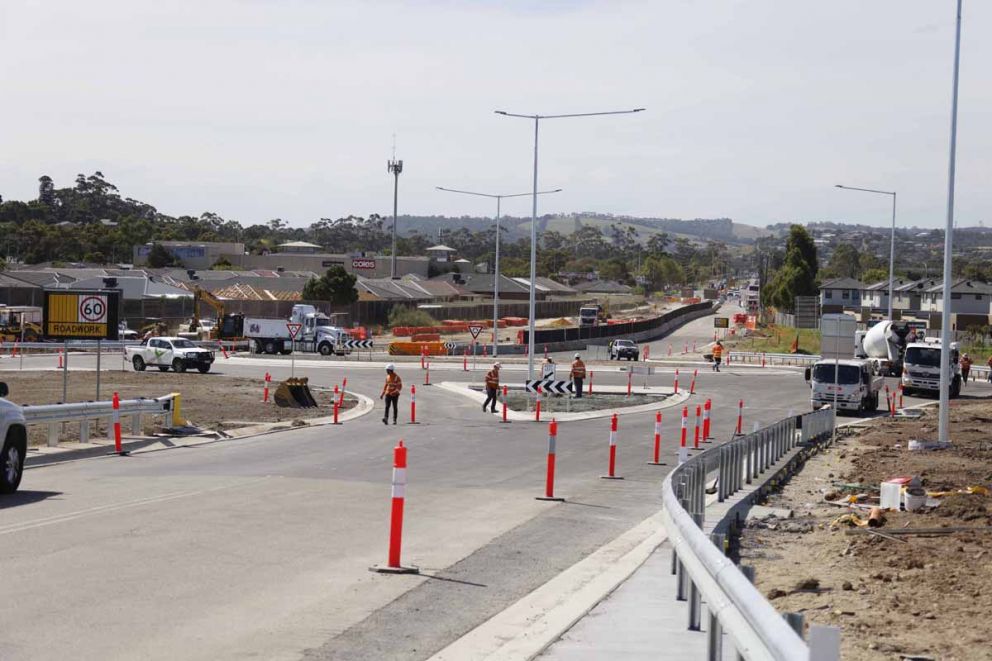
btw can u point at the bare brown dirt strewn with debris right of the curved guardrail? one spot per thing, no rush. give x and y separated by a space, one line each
903 596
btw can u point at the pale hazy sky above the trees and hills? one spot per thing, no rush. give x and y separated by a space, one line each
259 109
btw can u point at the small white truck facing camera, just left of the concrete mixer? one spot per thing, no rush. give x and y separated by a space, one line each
857 386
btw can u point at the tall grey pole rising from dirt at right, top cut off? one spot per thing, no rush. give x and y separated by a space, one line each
945 316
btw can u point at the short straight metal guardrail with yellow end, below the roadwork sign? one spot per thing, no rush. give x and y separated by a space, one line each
54 415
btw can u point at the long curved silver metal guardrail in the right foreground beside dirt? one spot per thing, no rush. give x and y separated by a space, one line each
705 573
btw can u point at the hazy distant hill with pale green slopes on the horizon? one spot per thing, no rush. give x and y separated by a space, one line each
698 230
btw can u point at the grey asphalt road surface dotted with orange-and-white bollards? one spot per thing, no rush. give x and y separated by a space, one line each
260 547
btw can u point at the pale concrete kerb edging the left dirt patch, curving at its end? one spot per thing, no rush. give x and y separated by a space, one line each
155 444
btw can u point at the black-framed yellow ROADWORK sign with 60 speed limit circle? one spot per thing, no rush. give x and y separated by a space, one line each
80 314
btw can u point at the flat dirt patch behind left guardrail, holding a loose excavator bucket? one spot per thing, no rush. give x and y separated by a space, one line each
209 401
